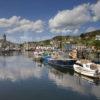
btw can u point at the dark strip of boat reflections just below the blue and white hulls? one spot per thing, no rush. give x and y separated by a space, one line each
60 71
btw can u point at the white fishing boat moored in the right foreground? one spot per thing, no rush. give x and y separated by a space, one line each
87 68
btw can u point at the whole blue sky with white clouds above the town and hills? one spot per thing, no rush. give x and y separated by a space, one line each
35 20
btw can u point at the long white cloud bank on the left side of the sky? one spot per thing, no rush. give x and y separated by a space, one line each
18 24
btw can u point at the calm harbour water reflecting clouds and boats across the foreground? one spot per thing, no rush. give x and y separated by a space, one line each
23 79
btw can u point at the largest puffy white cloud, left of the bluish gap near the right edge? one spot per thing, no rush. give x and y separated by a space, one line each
70 19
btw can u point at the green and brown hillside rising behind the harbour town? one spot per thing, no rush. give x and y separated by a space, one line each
89 36
